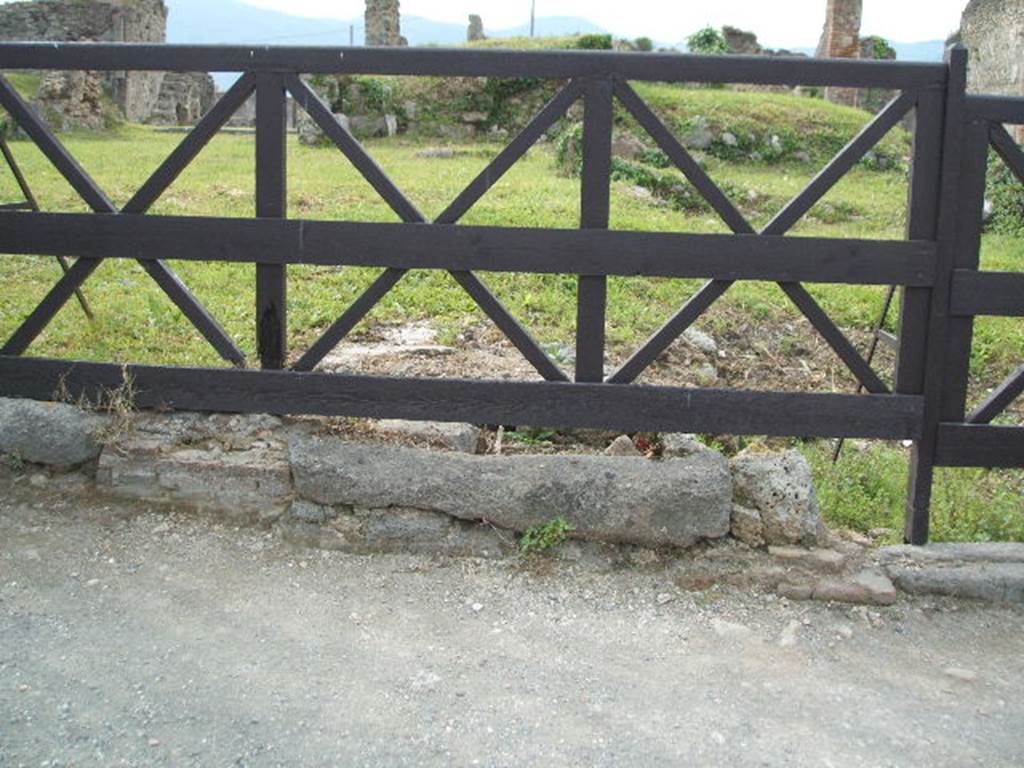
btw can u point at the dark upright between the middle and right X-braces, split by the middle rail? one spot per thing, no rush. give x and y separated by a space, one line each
594 212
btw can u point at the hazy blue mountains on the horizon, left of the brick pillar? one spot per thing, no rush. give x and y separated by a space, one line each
235 22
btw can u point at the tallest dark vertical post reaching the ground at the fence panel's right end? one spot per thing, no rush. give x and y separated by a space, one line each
934 342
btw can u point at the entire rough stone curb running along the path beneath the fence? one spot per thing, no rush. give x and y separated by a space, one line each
328 492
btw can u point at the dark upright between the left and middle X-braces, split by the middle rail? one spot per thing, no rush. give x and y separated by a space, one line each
272 202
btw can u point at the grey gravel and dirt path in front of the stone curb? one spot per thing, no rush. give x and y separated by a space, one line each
134 637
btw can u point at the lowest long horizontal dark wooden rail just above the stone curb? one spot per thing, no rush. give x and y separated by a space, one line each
537 404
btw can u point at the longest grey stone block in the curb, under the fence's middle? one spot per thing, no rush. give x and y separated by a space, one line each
622 500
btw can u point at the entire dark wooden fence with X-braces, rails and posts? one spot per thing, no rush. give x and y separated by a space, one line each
936 266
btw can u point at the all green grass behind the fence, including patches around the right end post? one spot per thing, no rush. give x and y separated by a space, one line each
137 323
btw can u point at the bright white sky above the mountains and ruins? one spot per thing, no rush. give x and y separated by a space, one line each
778 23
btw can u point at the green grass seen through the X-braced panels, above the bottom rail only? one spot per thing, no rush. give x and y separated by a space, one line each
136 321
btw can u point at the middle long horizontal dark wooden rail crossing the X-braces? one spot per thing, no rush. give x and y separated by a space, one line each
470 248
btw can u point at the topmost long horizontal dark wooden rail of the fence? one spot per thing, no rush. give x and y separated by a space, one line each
471 63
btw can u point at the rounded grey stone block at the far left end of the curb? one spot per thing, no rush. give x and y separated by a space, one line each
54 434
